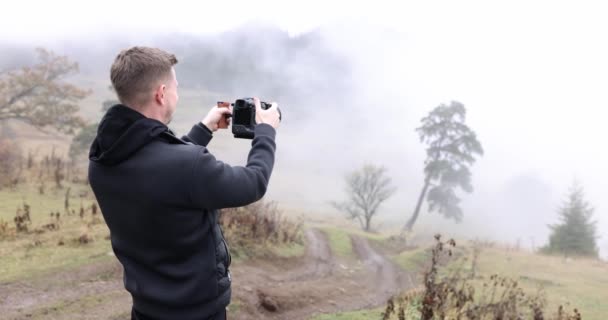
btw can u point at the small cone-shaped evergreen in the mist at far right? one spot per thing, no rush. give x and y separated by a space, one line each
576 234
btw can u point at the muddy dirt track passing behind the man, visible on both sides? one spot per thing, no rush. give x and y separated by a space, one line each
277 288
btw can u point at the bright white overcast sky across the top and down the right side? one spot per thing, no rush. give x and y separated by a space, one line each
533 74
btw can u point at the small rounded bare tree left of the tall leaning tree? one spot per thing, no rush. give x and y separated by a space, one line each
366 188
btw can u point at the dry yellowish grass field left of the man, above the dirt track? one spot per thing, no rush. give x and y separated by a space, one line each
33 253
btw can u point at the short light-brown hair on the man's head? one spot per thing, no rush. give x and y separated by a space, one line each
137 70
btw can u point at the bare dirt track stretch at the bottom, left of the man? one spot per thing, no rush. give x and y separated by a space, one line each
96 288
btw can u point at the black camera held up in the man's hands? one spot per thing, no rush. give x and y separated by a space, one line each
243 116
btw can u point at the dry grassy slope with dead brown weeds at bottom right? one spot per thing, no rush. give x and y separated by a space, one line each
506 284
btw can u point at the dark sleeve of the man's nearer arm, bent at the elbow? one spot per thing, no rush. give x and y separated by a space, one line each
216 185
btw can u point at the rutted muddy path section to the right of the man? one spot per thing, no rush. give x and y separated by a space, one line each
324 285
